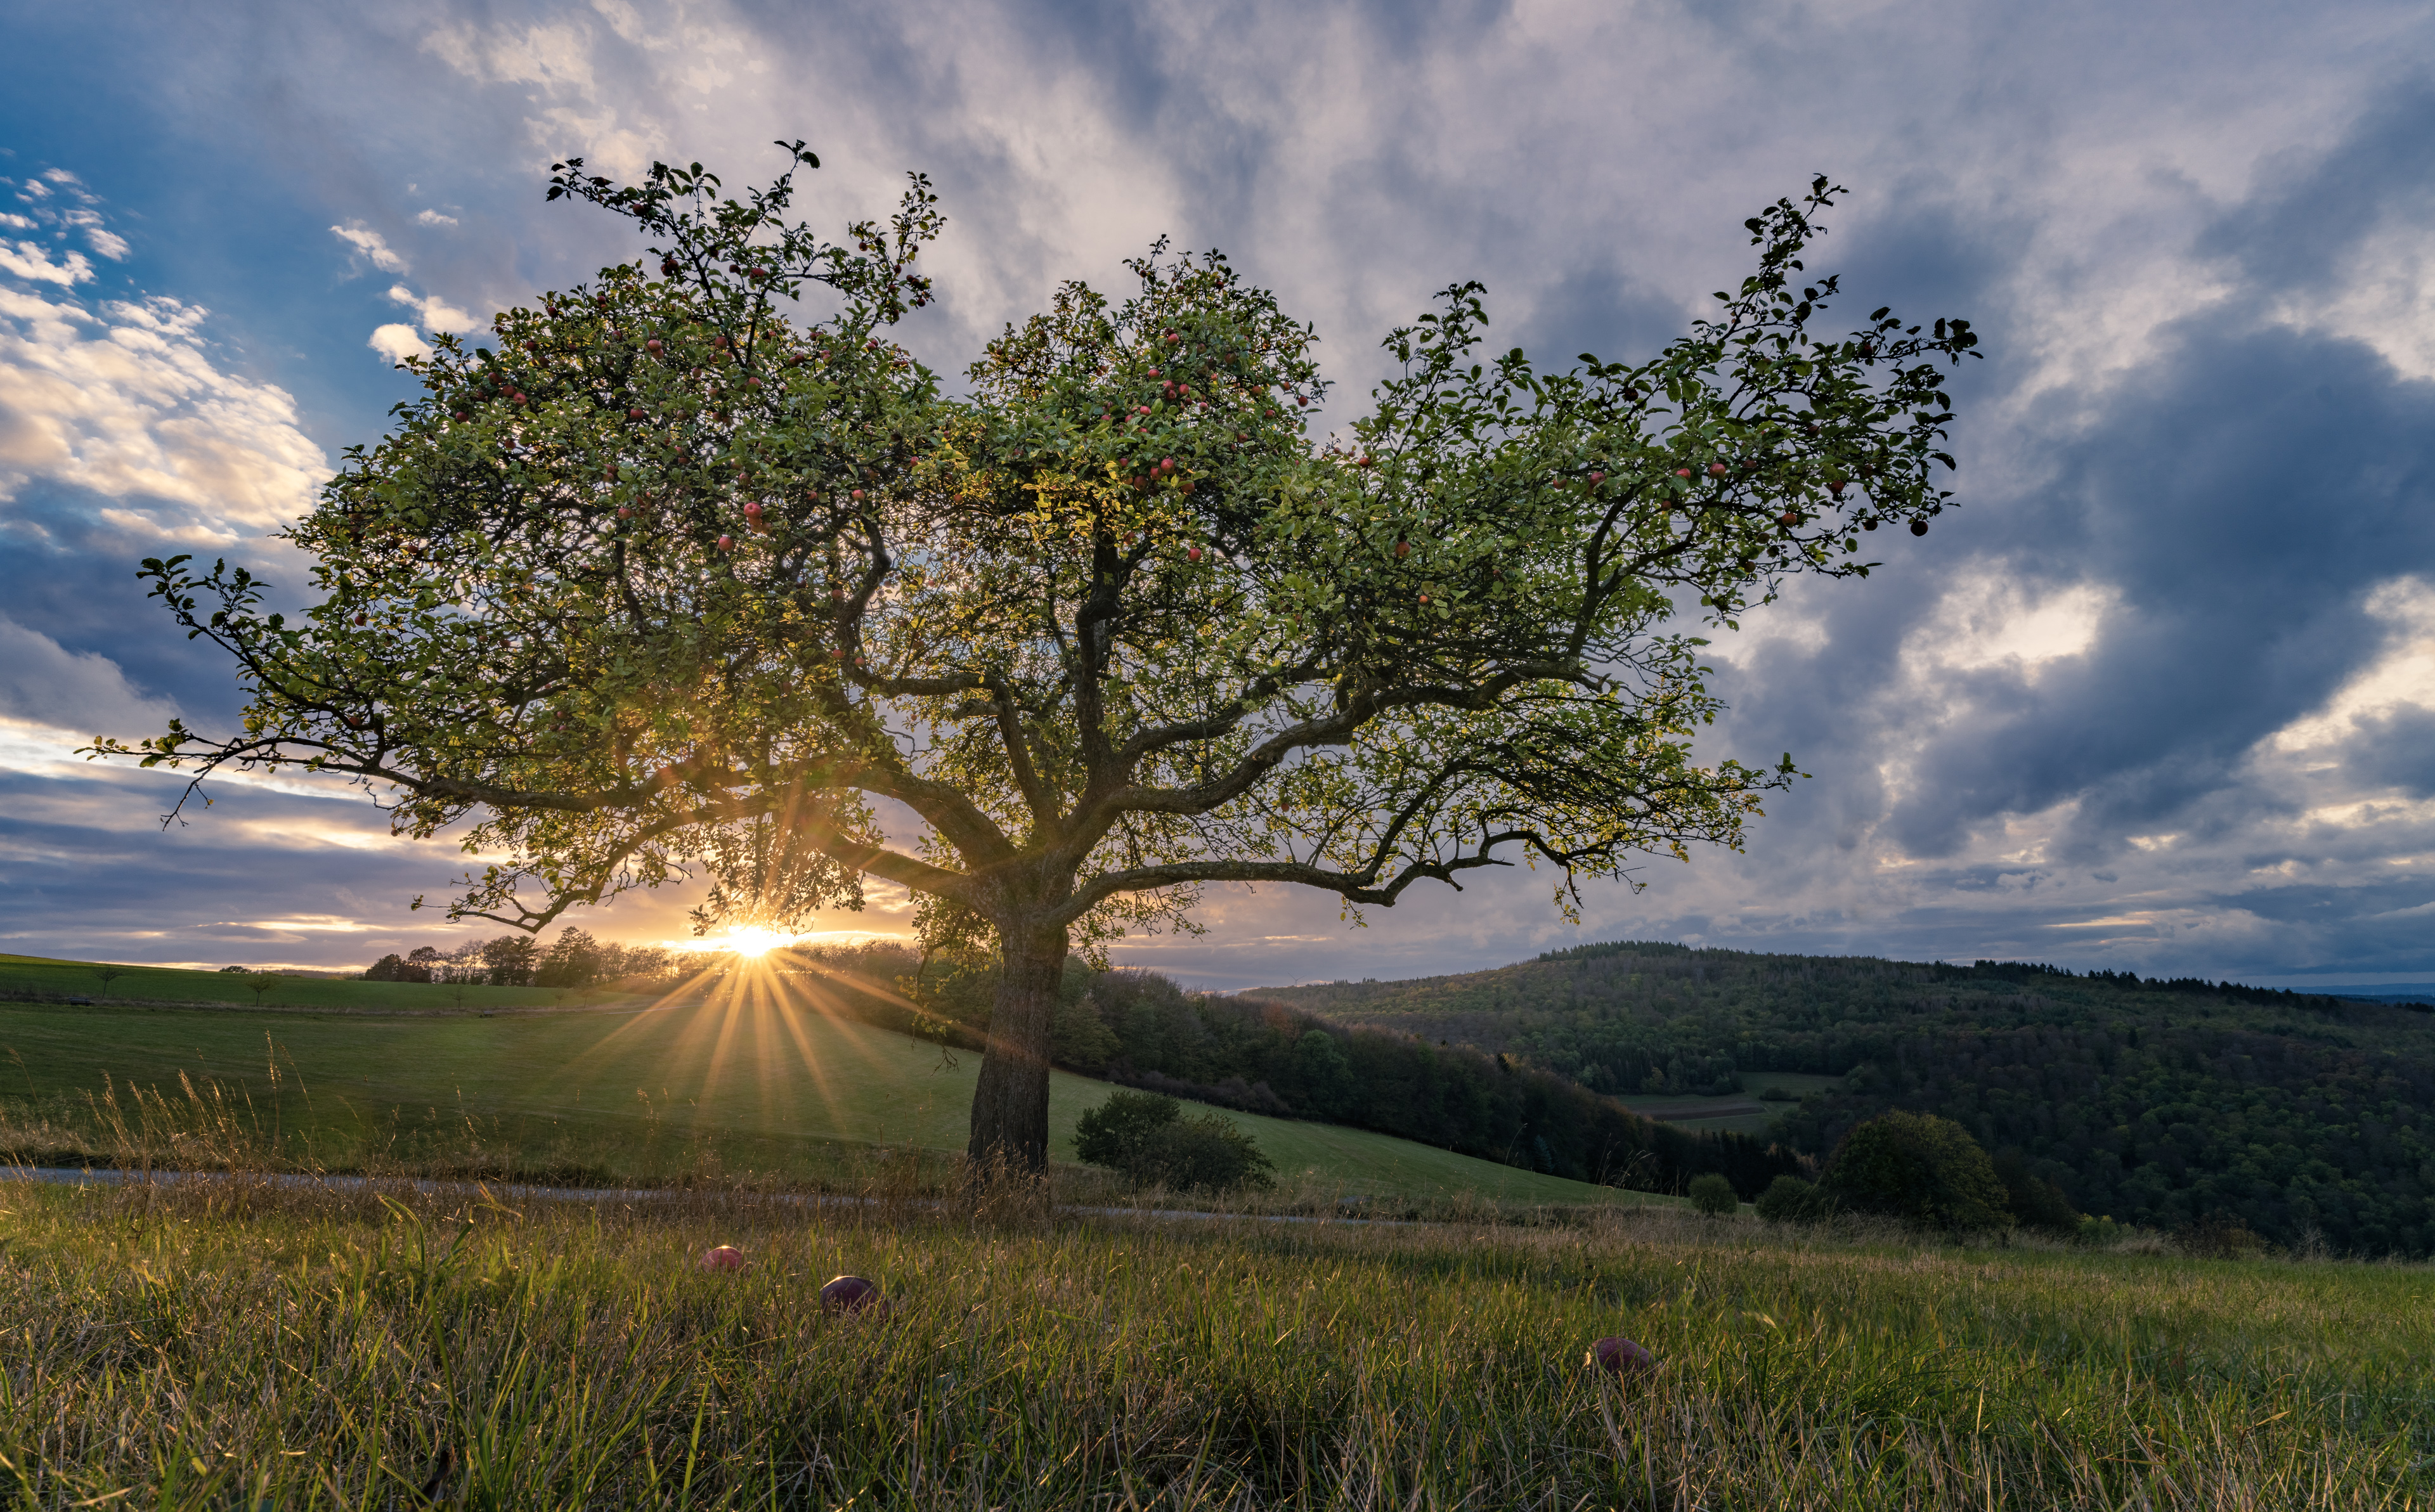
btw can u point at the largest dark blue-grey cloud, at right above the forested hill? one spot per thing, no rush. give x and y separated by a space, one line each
2244 495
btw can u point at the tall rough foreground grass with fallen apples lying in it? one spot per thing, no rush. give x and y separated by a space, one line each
259 1348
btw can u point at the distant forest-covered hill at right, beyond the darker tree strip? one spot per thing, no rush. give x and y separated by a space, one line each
2151 1102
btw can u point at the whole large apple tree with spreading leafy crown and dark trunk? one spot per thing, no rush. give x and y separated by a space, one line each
683 583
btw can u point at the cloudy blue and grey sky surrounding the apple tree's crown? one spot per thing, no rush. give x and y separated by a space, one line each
2159 698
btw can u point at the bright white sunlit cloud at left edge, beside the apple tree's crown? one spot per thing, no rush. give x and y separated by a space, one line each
128 401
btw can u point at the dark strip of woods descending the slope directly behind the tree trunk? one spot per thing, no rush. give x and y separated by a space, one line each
1141 1029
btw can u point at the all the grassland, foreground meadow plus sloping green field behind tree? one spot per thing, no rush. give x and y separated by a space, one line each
252 1340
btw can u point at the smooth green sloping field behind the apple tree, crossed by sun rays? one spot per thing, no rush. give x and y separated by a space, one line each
732 1087
